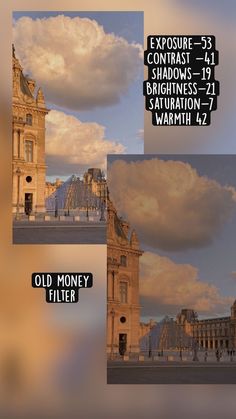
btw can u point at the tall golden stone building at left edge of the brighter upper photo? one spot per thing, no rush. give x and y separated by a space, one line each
28 143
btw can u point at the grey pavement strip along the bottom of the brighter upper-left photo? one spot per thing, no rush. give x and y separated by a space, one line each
59 232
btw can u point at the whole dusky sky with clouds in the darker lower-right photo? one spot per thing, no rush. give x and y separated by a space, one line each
184 211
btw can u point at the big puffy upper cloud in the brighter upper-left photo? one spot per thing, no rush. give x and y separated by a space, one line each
75 61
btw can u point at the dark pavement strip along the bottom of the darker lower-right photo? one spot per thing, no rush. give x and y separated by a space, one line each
171 373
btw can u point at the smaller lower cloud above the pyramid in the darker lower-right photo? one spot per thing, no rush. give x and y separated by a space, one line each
166 287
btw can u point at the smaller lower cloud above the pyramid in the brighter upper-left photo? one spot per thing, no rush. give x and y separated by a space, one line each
72 145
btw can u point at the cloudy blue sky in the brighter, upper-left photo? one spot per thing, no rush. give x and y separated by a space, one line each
89 65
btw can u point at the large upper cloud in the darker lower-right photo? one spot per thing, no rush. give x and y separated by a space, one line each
169 203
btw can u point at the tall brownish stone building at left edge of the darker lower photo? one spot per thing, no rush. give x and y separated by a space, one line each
123 307
